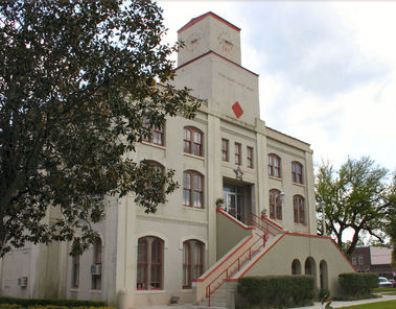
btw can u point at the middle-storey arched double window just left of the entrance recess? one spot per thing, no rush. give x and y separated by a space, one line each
193 193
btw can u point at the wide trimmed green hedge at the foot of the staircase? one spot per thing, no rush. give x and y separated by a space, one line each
275 291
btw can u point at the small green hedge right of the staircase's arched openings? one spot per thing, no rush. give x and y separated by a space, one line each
358 285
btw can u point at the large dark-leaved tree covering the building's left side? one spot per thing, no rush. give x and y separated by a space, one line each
78 90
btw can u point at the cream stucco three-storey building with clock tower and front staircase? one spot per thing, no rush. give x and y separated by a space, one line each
189 249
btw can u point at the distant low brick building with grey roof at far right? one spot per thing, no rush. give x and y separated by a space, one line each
374 259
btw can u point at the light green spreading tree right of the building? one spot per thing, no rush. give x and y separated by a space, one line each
356 200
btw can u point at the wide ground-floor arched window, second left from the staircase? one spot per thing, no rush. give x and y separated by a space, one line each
150 263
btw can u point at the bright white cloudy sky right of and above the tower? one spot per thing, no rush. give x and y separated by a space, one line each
327 69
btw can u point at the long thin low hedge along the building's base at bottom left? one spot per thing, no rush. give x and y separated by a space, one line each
32 302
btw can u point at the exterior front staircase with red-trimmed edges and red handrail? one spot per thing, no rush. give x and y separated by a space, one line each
214 287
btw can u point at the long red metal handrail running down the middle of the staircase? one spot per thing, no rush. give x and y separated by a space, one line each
210 289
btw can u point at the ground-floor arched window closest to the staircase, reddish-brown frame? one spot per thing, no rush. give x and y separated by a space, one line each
193 261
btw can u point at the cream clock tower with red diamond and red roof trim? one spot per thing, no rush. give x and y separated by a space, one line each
210 64
